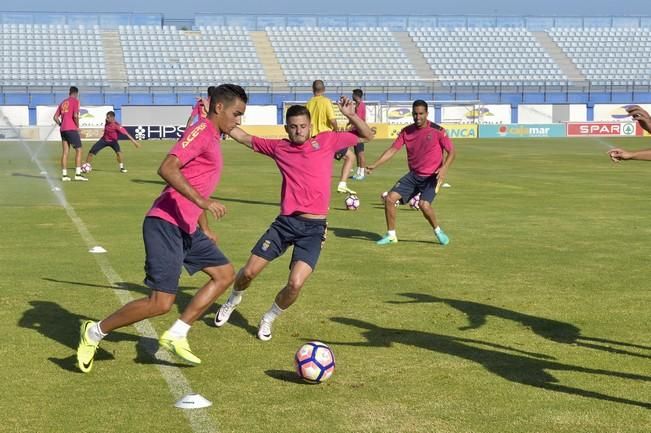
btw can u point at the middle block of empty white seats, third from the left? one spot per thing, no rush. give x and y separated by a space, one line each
340 56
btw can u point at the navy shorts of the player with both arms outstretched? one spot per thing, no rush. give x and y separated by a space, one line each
307 236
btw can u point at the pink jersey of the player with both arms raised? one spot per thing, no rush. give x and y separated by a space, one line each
306 169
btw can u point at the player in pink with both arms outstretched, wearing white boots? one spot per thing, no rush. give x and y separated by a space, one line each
305 163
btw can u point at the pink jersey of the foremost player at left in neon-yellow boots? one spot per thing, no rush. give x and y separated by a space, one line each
199 151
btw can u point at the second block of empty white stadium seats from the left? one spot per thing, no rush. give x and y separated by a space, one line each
166 56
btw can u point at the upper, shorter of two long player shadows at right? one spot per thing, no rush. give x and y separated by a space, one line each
559 332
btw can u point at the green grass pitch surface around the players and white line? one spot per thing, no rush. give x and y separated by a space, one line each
534 319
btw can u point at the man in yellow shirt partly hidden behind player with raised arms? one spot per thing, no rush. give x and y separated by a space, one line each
323 119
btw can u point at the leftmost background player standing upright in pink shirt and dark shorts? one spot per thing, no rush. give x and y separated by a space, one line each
67 117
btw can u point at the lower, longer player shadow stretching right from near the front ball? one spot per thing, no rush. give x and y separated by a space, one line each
513 367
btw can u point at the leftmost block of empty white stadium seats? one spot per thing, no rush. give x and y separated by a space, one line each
51 55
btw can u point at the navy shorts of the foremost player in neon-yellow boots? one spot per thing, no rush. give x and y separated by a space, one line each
168 249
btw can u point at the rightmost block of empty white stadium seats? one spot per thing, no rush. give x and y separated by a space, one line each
608 55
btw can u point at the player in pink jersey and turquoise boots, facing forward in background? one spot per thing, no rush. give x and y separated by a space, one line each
425 142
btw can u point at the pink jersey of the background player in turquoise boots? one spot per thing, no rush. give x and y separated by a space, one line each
424 147
